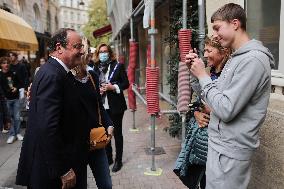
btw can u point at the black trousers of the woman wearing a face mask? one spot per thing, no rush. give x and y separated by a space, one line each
118 137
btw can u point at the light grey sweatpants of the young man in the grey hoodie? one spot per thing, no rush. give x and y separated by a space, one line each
223 172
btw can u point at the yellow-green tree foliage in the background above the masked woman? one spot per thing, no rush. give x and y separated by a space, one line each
97 13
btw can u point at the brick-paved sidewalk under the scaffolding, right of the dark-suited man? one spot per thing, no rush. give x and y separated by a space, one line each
135 160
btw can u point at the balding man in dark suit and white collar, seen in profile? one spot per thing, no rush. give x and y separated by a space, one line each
55 148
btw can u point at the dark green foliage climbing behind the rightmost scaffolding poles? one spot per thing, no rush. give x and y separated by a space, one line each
172 40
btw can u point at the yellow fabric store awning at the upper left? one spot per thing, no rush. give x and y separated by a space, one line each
16 34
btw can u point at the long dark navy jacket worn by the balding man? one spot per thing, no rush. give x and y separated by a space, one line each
57 136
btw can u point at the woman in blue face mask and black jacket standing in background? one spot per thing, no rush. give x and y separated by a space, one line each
113 81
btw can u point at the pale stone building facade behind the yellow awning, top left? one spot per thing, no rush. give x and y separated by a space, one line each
42 15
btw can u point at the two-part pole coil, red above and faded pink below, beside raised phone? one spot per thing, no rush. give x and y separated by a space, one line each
184 92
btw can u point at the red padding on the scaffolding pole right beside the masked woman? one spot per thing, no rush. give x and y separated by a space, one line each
133 48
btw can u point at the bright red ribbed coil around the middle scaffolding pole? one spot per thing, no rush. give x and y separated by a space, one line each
152 94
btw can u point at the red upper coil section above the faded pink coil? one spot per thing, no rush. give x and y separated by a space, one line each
184 36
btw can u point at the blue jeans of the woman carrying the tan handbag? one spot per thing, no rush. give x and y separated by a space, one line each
99 165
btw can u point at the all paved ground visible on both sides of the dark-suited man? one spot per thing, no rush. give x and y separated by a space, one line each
135 160
